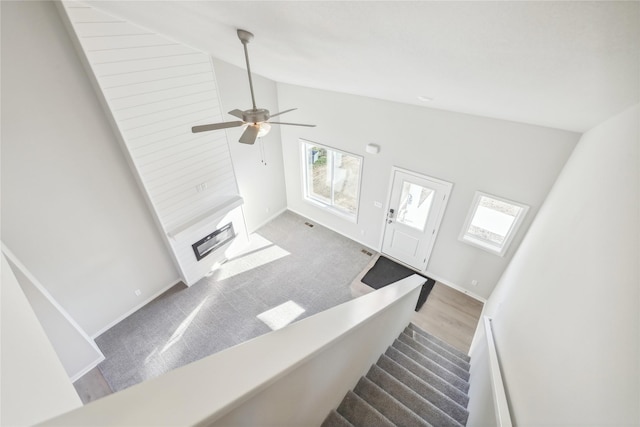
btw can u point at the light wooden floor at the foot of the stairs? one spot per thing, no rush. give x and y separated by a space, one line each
450 315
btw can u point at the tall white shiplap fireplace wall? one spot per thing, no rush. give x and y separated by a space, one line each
156 89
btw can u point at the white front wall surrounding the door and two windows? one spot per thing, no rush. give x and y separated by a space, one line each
511 160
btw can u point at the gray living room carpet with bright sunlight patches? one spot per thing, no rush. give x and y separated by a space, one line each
311 266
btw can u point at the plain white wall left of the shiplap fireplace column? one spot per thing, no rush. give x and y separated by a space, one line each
71 209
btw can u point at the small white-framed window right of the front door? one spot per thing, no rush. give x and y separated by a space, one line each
492 222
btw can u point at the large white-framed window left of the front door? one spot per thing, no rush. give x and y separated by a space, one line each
332 178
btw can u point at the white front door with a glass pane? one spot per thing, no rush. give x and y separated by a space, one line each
415 209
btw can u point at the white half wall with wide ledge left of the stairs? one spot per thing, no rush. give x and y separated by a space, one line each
291 376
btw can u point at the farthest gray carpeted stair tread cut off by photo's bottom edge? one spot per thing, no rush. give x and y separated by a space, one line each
416 403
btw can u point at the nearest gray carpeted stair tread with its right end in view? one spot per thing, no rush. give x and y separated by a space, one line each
424 389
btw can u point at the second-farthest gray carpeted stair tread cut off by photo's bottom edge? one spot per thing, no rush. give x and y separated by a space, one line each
387 404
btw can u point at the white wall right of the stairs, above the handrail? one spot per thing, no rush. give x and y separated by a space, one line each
566 311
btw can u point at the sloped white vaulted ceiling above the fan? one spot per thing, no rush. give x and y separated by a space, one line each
568 65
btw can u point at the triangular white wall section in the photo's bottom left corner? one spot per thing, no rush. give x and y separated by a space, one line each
34 384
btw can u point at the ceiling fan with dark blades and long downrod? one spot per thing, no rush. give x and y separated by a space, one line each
256 119
